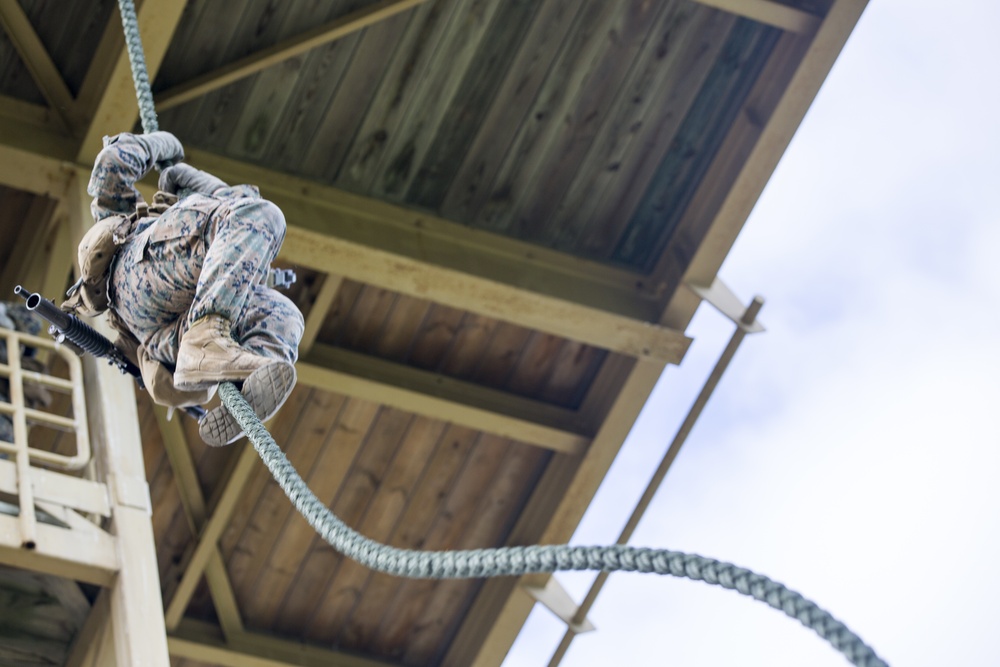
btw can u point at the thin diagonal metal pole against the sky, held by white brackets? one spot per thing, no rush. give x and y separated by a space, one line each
749 315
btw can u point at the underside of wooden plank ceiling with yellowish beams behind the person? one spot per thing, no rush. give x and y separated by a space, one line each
496 211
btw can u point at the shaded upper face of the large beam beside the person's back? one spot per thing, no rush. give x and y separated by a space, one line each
310 206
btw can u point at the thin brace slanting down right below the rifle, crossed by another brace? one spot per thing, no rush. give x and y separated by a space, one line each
186 477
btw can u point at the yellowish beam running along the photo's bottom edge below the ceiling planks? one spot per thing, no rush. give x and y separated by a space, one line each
195 640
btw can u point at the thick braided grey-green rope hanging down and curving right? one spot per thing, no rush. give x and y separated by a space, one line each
504 561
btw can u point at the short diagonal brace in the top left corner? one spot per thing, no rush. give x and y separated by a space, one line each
36 58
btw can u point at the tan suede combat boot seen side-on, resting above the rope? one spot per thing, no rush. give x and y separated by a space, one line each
208 355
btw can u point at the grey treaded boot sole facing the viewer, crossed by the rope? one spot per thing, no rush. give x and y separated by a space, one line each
266 390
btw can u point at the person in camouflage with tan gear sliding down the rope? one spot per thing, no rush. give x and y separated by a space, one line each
183 281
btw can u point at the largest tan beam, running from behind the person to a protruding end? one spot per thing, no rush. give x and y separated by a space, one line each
411 253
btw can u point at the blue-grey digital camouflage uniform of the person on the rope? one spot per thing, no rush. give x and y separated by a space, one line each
206 254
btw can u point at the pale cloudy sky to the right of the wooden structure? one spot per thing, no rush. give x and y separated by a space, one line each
852 451
